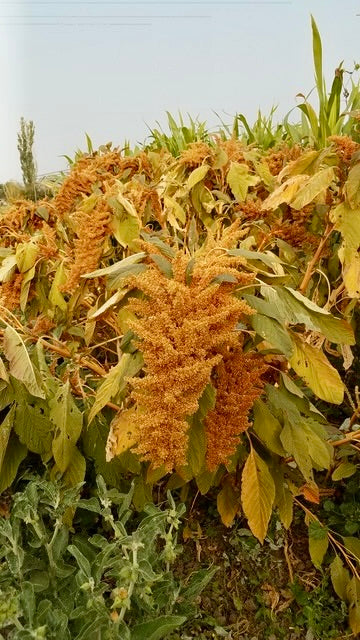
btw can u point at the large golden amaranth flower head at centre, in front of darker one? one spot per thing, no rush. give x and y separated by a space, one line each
183 325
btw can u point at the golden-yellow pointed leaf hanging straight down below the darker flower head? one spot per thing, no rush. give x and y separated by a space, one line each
257 494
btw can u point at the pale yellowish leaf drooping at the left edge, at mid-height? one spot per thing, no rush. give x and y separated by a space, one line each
20 364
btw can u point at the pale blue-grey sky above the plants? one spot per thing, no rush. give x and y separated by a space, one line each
112 68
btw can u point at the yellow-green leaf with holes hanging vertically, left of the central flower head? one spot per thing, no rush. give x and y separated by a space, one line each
68 424
